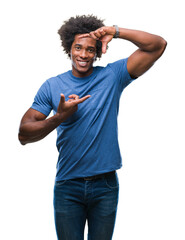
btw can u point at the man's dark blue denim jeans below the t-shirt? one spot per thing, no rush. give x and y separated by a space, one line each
78 200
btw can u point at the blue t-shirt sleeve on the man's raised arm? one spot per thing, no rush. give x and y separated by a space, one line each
120 70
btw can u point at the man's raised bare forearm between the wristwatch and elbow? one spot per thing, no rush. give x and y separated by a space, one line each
145 41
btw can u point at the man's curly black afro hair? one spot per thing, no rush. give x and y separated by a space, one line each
79 25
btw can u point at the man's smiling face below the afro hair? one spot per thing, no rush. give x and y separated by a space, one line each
83 54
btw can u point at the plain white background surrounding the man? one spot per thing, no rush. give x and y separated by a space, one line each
151 118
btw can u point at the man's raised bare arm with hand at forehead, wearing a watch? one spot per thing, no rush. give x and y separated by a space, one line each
150 47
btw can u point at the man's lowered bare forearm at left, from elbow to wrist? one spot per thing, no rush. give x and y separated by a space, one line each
33 131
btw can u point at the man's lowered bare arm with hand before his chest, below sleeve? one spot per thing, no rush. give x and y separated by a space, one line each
34 125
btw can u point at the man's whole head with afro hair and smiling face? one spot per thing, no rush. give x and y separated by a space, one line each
72 43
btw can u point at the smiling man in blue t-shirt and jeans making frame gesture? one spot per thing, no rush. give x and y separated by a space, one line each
85 102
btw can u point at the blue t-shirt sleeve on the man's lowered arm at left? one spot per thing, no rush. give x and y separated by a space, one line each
42 101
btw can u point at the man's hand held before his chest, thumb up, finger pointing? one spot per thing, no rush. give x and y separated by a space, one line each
67 108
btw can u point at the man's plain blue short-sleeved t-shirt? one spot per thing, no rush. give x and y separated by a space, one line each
88 140
